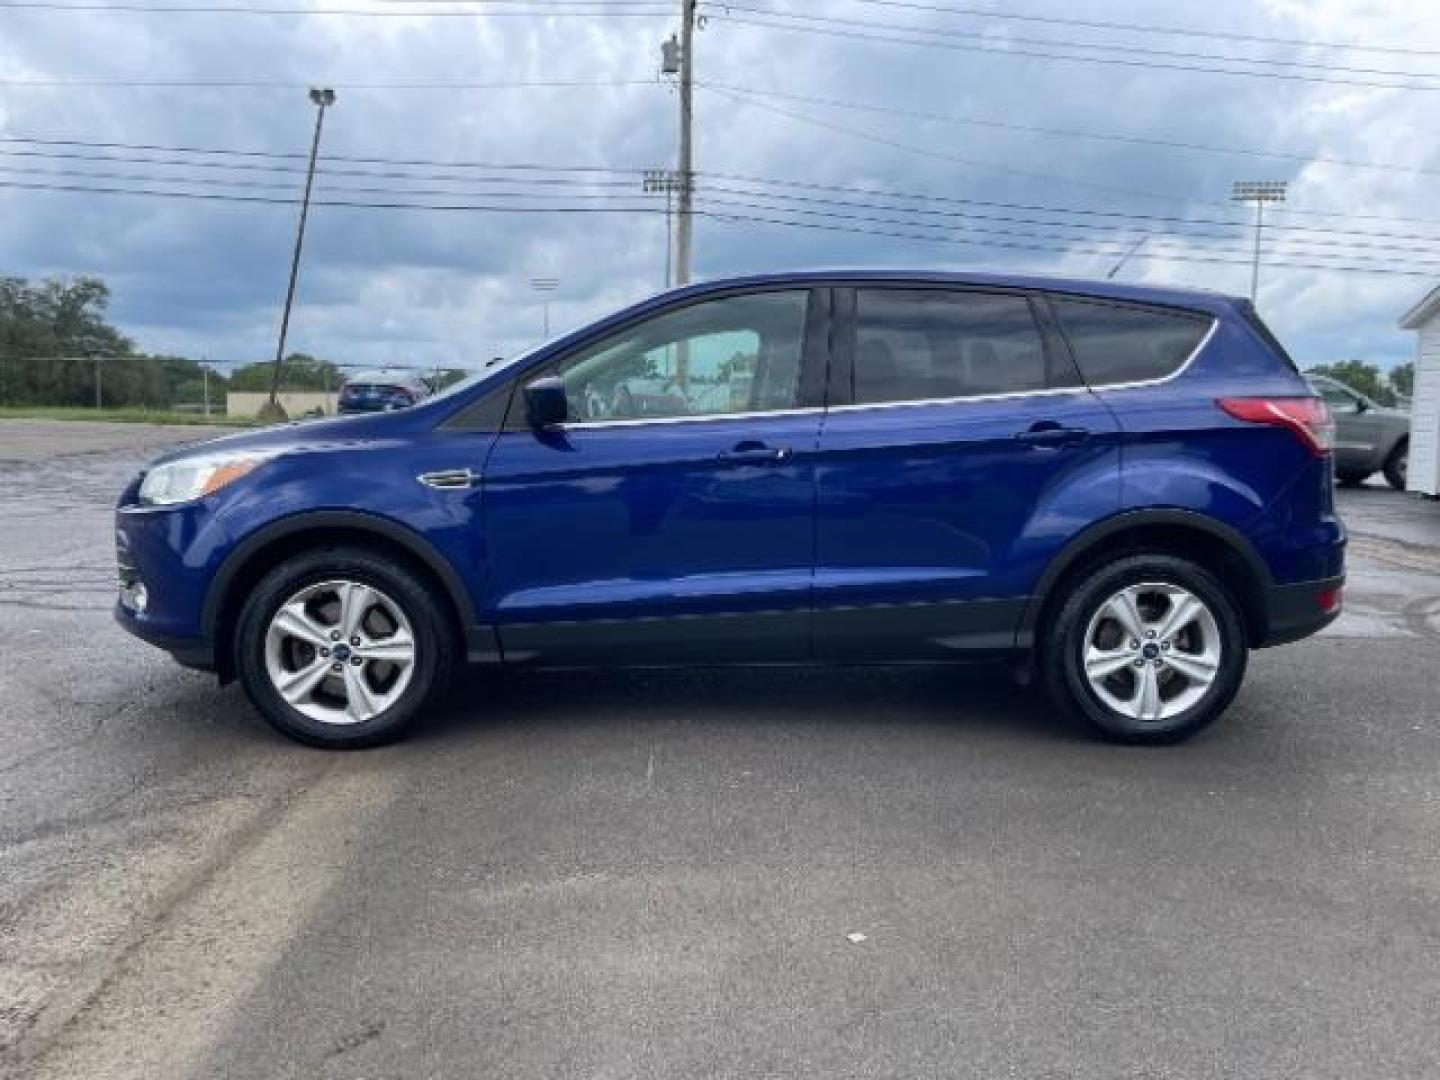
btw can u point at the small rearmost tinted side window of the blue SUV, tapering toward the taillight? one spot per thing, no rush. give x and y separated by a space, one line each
1128 345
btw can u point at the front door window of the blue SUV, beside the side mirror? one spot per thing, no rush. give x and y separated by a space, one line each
715 358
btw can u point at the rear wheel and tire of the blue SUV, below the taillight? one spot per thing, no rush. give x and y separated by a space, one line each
1212 646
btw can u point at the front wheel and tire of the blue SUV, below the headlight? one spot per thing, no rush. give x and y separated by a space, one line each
343 699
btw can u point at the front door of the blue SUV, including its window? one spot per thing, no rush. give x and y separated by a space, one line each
672 518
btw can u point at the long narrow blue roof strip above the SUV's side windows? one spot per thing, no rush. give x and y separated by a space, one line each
1099 289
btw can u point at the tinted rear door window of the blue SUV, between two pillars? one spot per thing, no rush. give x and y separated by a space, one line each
927 345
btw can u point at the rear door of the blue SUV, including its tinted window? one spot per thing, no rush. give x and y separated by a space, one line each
960 454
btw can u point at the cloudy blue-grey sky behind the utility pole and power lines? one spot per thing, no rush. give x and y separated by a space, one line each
967 142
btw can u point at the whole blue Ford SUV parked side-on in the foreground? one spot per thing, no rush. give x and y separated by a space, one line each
1122 489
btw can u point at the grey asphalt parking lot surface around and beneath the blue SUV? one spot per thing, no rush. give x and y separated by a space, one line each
660 875
